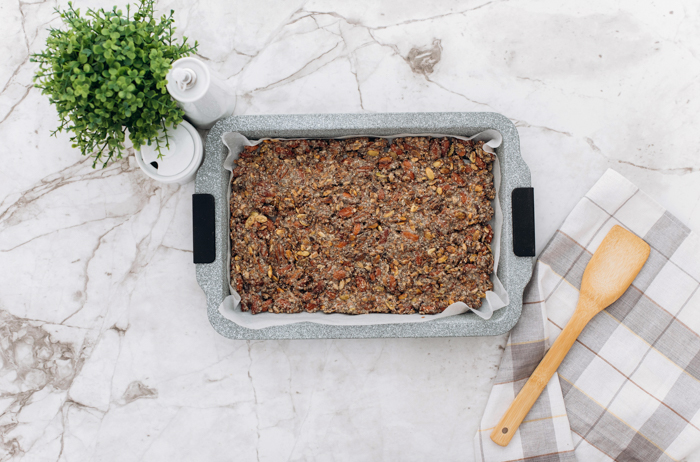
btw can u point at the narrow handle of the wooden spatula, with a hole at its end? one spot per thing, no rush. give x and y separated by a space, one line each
514 416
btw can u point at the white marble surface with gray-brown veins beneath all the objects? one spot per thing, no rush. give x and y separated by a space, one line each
106 350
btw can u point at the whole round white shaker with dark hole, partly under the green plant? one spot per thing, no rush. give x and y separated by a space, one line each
180 162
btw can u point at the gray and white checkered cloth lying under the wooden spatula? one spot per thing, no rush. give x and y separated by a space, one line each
629 389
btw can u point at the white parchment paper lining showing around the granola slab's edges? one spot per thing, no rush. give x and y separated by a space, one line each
230 308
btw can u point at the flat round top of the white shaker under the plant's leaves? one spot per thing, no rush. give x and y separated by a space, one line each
175 159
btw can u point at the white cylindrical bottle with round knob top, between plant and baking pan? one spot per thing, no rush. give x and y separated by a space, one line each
204 96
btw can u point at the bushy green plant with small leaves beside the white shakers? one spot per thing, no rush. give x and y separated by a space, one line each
105 73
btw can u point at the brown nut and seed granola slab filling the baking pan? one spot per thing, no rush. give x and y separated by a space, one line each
362 225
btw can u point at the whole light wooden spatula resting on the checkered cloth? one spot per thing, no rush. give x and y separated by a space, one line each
610 272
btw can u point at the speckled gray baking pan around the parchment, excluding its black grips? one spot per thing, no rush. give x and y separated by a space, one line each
513 271
